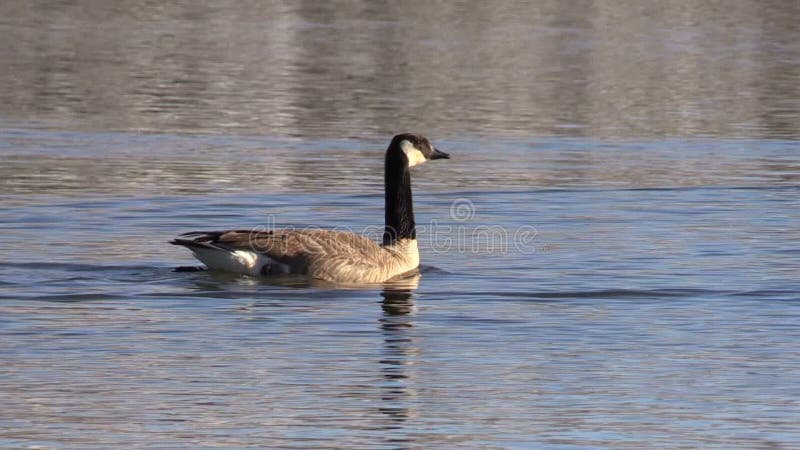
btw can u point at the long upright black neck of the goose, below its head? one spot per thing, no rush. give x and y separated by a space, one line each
399 209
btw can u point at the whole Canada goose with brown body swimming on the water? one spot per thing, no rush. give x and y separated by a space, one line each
336 256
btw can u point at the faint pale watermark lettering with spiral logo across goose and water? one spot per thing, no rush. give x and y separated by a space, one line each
459 234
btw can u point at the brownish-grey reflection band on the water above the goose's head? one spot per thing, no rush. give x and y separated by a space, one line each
364 69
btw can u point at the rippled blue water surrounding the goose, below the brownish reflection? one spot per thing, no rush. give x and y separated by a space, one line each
632 315
